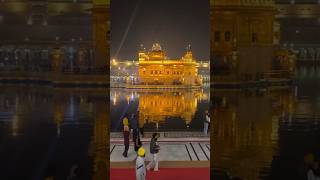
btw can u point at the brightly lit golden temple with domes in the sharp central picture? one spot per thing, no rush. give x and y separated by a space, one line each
155 68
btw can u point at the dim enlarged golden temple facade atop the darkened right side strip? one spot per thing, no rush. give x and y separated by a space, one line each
243 36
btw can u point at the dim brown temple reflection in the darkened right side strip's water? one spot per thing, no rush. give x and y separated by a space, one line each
246 130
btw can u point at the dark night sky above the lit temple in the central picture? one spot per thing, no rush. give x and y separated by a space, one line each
172 23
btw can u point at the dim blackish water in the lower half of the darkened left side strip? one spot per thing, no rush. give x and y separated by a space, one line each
46 132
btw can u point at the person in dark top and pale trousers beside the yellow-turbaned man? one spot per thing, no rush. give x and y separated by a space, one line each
154 150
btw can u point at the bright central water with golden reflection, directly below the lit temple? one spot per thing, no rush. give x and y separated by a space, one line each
160 110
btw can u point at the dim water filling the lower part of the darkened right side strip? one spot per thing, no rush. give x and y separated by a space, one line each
264 134
